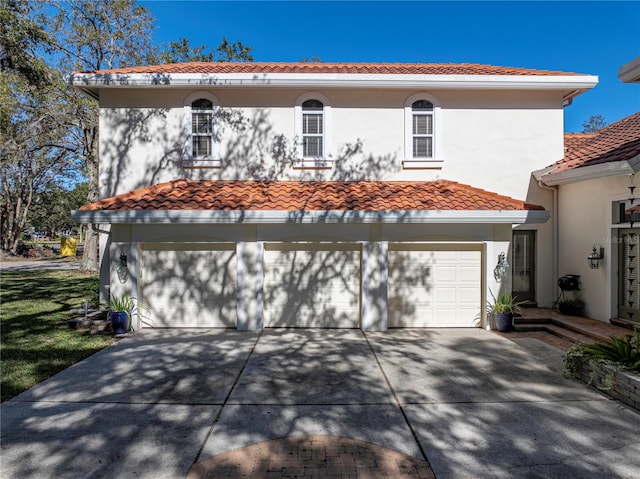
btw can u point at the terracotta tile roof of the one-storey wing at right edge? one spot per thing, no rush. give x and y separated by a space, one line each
619 141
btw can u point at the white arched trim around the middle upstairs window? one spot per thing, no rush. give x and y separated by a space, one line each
323 118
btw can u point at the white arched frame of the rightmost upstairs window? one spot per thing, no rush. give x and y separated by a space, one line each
436 159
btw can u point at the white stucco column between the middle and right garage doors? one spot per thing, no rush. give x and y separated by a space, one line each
375 280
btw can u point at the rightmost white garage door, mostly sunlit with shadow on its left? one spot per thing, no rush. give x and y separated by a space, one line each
434 286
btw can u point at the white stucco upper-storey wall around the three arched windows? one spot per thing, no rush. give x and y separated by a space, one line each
486 137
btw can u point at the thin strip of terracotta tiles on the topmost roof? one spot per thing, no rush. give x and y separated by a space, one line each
345 68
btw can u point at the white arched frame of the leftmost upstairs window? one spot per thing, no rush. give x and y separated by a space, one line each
188 159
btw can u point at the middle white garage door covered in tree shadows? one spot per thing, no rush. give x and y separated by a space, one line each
312 285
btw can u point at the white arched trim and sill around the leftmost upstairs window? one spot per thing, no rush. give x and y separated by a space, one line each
209 133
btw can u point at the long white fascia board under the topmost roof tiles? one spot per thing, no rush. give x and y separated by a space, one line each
353 80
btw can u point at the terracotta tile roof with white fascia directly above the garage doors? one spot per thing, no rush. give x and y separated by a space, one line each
279 201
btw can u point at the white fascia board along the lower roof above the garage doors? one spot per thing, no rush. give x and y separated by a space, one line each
309 217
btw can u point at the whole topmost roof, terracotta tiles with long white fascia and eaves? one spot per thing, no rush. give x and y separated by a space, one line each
315 75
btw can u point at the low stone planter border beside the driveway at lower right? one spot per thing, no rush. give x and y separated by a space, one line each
612 380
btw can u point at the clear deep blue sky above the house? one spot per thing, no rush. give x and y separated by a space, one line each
591 37
